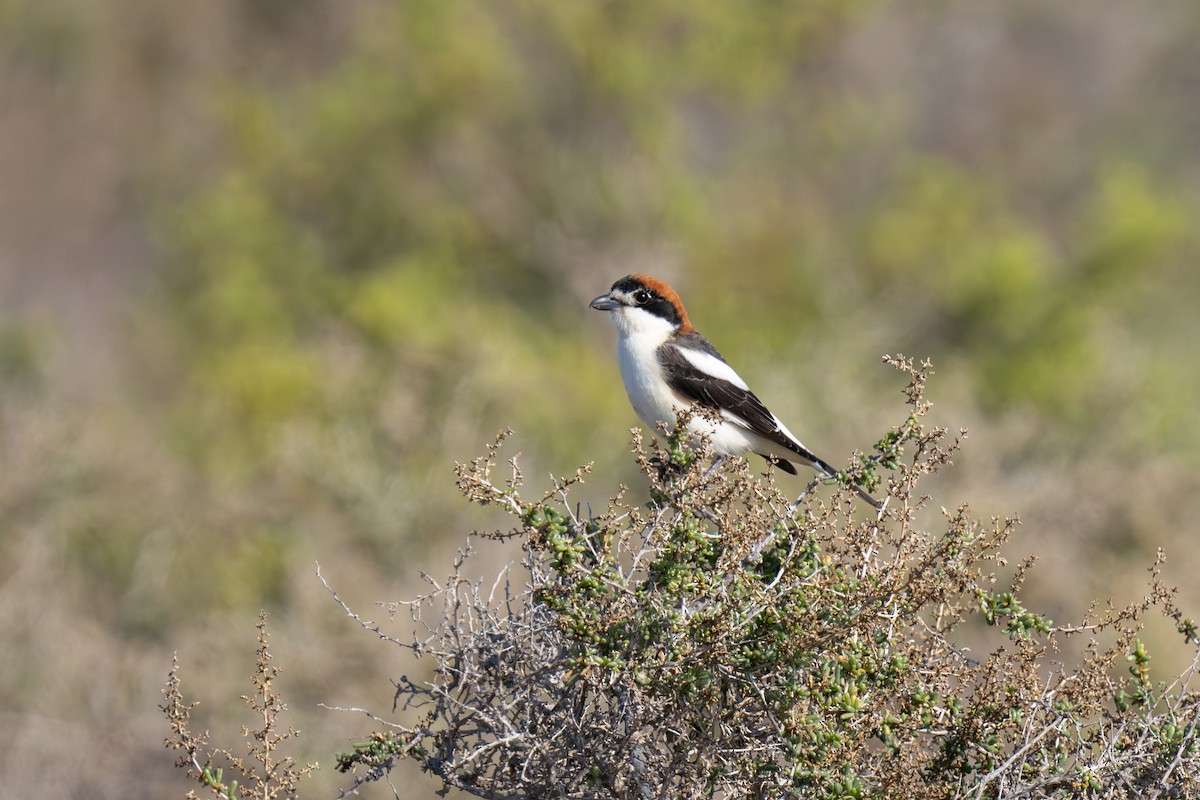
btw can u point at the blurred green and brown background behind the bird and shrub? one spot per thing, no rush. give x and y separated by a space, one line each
269 268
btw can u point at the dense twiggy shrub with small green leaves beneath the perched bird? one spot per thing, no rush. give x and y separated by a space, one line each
723 641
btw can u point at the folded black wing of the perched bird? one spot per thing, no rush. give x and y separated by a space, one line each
701 388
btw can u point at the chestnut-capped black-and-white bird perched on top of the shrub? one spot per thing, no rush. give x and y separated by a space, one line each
669 366
